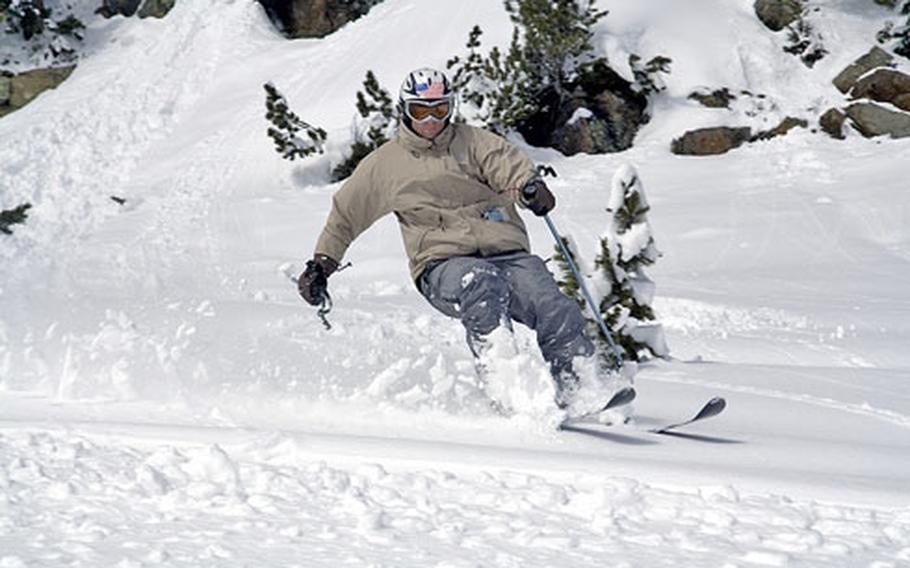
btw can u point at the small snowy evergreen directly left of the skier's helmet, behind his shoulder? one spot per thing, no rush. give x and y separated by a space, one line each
377 122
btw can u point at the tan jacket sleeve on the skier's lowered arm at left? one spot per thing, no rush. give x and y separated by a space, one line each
357 205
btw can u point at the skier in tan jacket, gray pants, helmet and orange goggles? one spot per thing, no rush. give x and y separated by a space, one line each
454 189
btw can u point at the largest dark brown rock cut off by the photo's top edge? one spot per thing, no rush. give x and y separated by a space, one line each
315 18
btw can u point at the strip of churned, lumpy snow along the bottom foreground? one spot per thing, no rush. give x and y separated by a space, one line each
102 503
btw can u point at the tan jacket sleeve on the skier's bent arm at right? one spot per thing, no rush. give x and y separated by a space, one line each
505 167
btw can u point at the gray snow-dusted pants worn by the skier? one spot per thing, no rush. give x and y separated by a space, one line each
486 292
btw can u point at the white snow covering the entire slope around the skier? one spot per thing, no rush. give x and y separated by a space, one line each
166 399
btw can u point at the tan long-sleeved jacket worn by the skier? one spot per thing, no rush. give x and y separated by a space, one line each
453 196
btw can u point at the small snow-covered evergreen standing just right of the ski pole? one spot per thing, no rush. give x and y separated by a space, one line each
626 248
